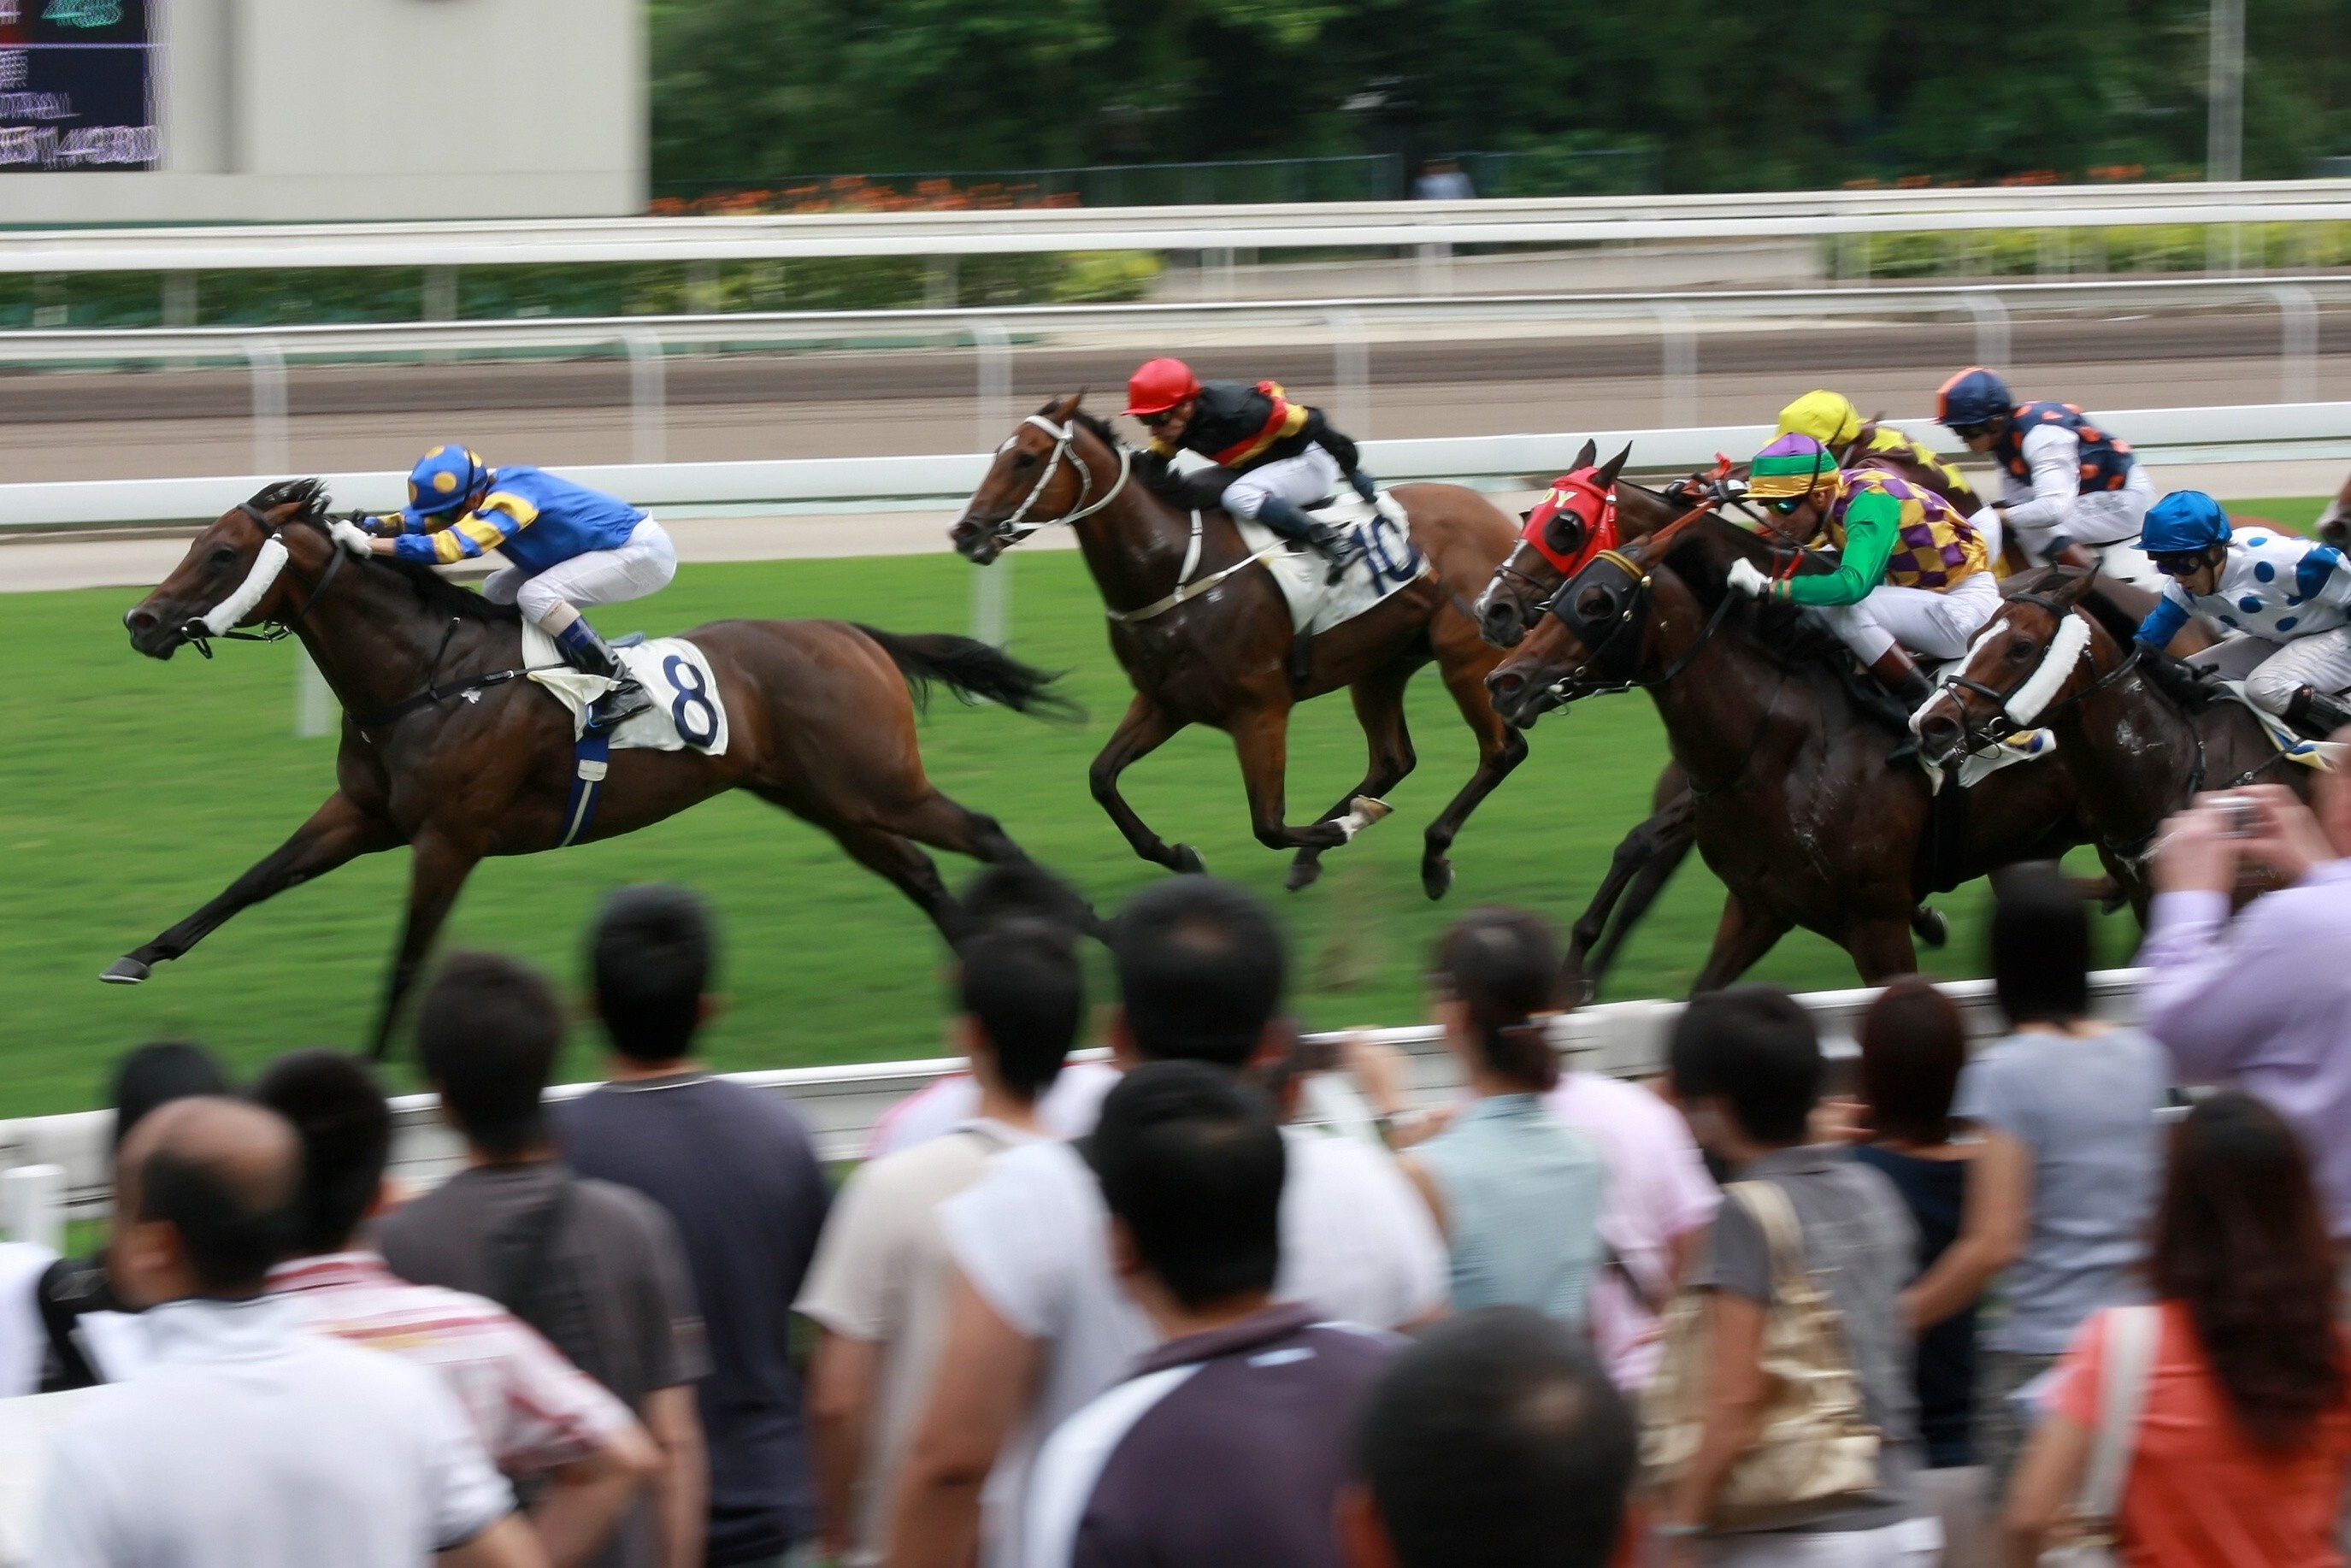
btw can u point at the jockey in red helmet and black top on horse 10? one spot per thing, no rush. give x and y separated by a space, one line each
1275 457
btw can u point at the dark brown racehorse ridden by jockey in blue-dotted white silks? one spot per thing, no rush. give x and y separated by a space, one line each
2136 751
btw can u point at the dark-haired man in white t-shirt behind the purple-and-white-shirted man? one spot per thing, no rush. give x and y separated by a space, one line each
1040 1325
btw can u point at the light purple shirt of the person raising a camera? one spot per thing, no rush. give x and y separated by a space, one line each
2265 1005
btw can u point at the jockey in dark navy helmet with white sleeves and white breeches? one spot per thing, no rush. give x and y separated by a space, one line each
2072 492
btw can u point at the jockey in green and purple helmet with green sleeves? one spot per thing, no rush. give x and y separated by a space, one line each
1910 575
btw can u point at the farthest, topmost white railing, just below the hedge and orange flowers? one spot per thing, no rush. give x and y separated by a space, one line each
1167 229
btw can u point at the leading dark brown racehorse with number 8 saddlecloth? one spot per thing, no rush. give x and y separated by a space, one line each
819 713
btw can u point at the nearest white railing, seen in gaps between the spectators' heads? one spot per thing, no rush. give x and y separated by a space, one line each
845 1104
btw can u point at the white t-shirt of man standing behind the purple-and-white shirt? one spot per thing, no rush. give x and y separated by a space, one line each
1033 1238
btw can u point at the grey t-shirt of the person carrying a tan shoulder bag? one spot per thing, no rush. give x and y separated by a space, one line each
1863 1245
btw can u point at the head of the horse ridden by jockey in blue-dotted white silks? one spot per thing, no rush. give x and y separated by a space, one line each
2032 655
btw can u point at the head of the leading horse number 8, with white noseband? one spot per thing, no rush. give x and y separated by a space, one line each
236 572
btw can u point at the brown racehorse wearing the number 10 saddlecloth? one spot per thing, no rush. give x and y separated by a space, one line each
1217 648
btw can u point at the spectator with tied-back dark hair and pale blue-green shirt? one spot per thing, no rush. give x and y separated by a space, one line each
1515 1191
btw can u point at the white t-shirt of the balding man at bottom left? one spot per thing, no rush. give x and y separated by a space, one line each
257 1445
